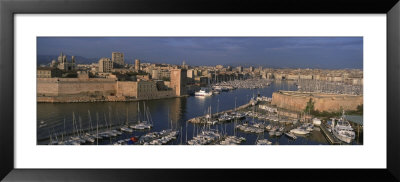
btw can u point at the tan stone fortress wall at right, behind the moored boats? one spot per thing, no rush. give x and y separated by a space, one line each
297 101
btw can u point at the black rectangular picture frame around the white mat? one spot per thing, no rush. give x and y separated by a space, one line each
9 8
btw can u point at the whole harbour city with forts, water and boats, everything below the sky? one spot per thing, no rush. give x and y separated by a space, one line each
195 105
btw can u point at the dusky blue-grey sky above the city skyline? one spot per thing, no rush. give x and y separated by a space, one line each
279 52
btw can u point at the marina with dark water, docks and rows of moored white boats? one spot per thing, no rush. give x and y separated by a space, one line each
230 118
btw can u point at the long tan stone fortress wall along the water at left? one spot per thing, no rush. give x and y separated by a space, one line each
96 89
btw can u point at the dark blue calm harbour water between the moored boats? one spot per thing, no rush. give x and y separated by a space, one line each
165 113
